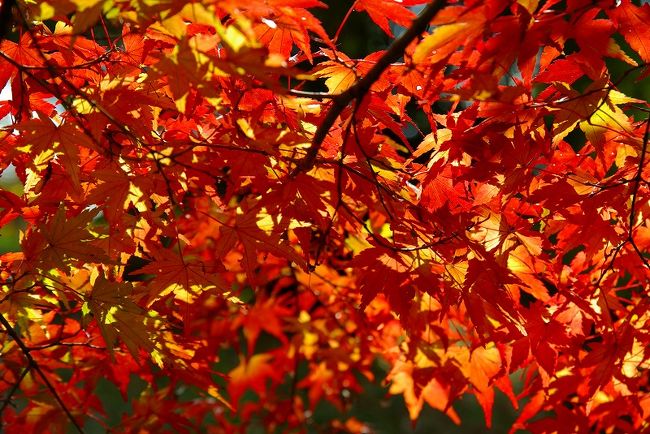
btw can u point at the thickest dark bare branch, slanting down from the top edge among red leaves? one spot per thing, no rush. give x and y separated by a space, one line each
359 89
